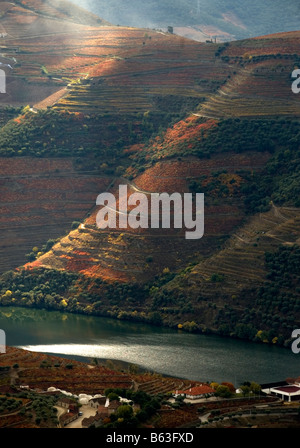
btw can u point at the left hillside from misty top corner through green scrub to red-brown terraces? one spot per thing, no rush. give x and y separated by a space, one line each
51 50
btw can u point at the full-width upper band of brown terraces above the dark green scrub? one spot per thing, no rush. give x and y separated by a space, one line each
85 66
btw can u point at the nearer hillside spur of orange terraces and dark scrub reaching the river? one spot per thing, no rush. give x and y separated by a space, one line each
217 283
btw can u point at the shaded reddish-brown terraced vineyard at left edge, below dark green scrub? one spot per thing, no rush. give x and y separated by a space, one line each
40 198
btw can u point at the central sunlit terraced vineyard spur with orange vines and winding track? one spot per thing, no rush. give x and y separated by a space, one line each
109 253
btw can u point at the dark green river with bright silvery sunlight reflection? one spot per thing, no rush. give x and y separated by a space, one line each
170 352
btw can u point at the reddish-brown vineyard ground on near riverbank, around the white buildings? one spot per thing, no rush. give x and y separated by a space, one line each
41 380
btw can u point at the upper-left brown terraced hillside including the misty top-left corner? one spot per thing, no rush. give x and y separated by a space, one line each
112 69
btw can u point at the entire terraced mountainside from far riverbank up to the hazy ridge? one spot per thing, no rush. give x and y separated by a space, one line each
93 103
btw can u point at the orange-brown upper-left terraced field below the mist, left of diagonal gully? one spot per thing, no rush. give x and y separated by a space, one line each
121 69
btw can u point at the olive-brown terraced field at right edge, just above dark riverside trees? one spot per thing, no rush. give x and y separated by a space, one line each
242 262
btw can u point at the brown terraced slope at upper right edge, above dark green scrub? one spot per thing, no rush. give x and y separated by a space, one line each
261 83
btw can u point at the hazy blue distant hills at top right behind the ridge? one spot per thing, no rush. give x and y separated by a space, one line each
202 19
